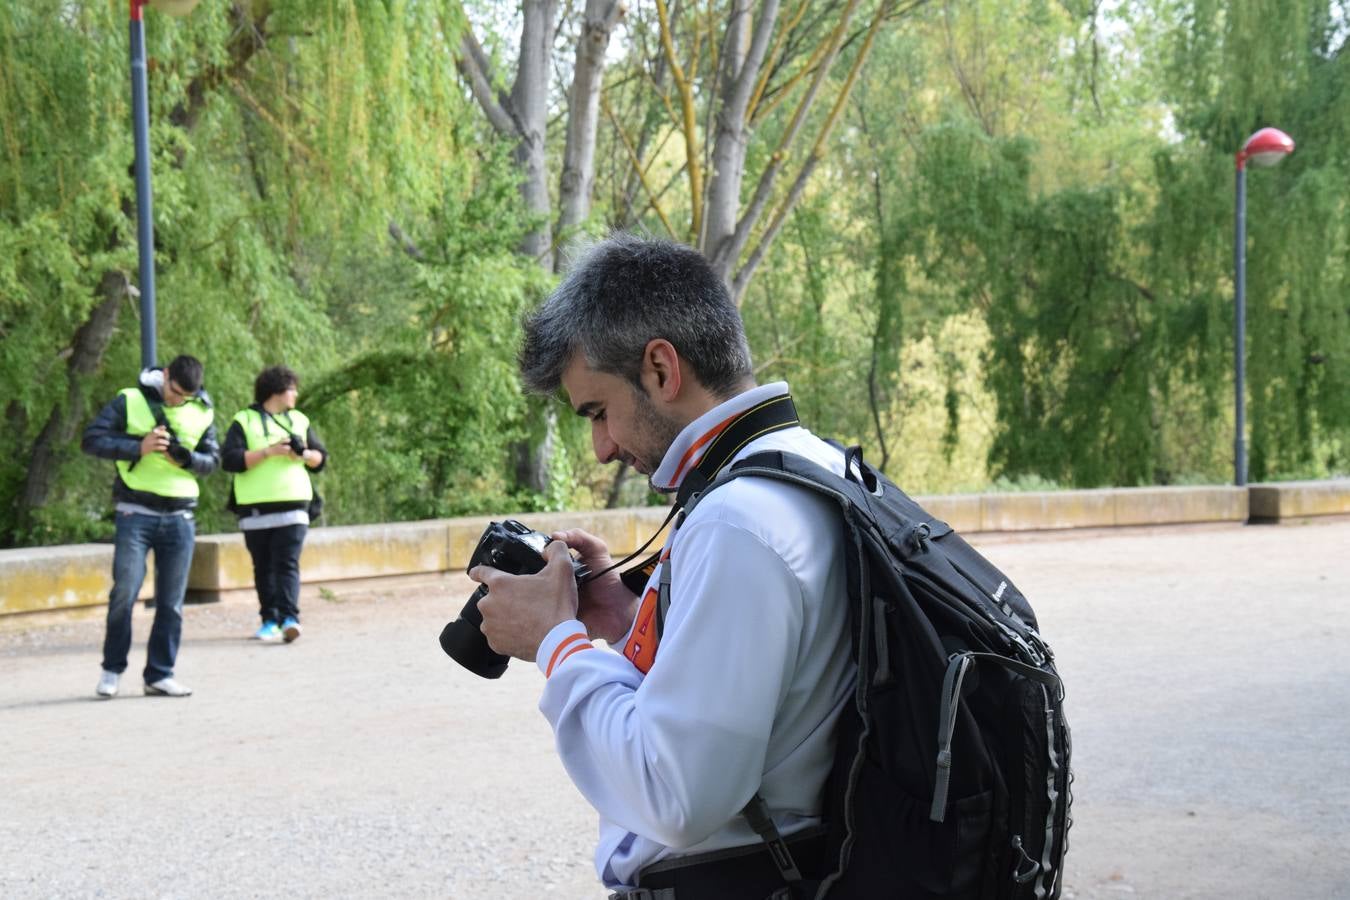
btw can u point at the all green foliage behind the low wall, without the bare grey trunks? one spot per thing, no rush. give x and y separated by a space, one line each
1013 266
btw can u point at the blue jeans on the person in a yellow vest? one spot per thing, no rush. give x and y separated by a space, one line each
172 540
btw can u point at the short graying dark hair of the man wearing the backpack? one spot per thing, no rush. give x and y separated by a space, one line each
620 295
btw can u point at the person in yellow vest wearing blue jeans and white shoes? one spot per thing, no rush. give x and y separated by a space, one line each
163 439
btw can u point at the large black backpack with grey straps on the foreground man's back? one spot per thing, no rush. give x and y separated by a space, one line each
952 768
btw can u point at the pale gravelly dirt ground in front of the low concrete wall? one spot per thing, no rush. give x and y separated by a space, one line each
1208 671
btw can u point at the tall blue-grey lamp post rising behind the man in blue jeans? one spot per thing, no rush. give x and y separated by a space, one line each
141 133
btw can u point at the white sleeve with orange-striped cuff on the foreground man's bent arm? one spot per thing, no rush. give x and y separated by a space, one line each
677 755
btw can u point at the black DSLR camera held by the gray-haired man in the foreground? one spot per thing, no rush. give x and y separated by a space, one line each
512 549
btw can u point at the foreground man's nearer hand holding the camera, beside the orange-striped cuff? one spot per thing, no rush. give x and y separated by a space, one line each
520 611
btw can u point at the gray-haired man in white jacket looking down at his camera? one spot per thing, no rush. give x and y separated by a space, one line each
716 704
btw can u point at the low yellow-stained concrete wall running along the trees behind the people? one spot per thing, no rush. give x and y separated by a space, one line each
55 578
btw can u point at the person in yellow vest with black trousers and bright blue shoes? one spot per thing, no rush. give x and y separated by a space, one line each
272 449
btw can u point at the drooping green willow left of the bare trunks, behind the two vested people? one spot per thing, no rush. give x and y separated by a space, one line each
322 200
